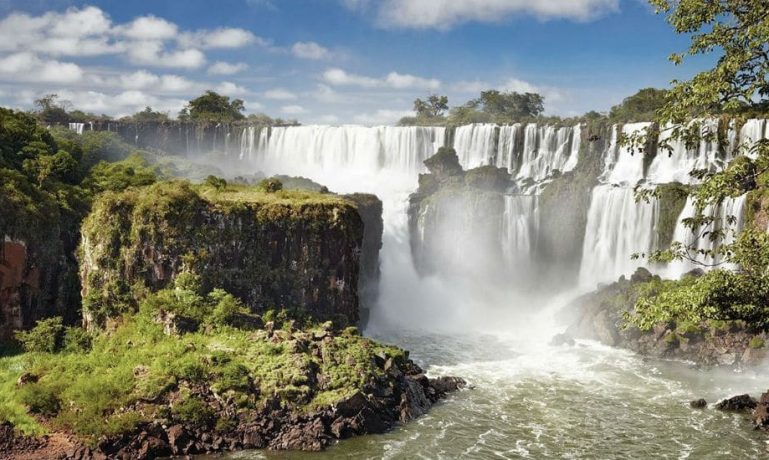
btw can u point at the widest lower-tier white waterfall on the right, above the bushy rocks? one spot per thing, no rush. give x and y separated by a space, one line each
617 228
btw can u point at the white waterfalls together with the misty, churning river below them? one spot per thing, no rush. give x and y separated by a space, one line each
522 404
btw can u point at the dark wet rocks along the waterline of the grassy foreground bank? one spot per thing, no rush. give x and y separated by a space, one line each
403 394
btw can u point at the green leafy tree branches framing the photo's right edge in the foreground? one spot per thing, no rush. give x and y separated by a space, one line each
738 30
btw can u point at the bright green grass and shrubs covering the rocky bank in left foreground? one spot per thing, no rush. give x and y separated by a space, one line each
140 373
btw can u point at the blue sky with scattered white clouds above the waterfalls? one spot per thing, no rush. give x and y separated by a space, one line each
332 61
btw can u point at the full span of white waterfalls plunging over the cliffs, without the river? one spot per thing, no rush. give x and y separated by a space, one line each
387 160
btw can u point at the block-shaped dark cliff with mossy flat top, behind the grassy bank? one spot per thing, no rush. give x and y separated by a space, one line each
296 251
